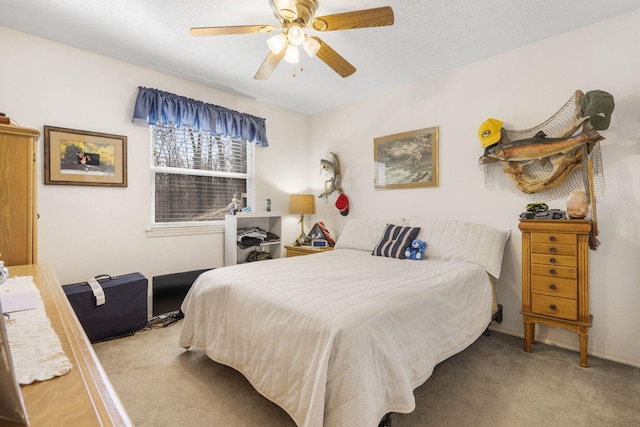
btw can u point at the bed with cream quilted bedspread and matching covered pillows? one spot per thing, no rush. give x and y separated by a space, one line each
343 337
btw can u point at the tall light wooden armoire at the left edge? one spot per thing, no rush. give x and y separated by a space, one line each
18 202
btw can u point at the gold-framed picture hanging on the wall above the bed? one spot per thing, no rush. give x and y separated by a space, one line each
406 160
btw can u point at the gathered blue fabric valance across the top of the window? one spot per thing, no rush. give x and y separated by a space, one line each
156 106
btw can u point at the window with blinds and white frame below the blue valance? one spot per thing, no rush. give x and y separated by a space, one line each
196 174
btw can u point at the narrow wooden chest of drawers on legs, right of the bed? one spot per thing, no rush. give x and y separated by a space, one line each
555 278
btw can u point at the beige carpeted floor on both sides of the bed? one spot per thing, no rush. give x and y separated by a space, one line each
491 383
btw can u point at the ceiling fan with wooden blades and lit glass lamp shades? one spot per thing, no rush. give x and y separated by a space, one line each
295 17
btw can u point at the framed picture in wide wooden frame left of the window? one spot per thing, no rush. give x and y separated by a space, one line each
79 157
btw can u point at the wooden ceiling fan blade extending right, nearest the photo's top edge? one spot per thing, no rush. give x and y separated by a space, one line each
377 17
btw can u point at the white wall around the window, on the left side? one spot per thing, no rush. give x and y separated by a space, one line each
84 231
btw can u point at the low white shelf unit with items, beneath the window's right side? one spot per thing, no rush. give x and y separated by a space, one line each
267 221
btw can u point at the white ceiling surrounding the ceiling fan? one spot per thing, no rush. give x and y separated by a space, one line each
428 37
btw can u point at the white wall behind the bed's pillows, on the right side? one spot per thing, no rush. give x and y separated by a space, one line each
523 88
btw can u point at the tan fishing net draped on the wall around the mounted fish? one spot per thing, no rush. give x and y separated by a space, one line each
562 124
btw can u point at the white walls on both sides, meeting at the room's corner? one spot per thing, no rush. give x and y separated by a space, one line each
47 83
